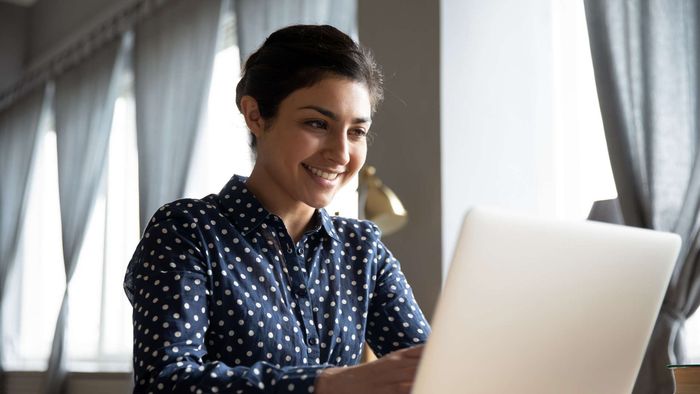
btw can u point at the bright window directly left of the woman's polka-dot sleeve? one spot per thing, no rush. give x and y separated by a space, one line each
102 340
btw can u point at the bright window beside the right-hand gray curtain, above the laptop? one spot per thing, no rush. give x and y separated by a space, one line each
582 172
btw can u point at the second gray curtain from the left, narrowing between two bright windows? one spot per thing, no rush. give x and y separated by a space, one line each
83 108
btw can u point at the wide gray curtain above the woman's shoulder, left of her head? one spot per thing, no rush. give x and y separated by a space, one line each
173 59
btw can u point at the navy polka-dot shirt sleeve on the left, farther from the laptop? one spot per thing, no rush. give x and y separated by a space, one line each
168 285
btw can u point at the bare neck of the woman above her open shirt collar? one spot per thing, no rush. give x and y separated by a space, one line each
295 215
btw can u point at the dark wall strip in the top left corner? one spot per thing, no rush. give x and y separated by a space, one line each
13 34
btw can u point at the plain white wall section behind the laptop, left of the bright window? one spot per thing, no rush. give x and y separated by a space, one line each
495 112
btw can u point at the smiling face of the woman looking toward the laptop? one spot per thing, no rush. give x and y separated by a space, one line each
315 144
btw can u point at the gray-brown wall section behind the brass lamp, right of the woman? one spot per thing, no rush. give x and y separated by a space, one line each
406 146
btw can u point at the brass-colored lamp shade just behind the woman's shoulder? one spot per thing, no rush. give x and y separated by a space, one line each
380 204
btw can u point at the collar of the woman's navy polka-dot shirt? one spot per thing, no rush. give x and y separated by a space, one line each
247 213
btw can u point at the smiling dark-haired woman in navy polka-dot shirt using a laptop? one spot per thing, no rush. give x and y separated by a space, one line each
257 289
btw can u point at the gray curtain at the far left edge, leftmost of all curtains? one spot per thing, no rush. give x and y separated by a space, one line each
19 130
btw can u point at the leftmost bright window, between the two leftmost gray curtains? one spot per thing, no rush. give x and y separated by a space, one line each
37 281
